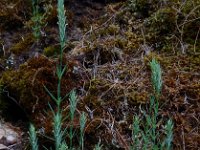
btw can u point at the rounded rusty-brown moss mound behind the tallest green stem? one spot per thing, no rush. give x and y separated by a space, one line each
27 83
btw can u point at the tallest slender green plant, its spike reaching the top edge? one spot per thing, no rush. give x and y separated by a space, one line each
57 116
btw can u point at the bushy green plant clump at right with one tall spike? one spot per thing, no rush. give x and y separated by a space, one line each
149 137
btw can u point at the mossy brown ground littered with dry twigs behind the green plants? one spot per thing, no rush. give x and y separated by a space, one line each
109 47
